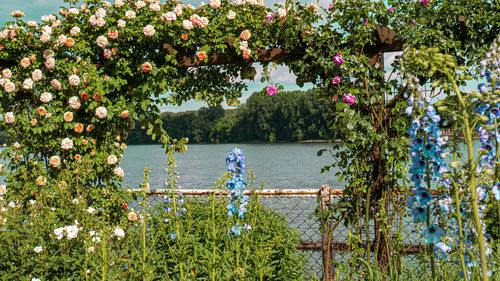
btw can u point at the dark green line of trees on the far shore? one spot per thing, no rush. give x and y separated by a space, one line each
288 116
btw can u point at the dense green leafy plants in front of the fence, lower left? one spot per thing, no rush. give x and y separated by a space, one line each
135 244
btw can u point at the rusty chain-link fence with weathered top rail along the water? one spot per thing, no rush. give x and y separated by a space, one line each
298 206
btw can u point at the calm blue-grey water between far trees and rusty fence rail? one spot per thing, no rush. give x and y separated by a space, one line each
280 165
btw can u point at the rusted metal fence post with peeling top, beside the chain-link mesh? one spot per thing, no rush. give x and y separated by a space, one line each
326 229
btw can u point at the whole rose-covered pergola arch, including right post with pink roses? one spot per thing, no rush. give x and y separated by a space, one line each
73 83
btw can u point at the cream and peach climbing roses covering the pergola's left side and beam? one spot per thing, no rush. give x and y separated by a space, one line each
74 83
